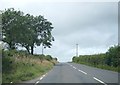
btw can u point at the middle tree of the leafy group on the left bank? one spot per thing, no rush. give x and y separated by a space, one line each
28 36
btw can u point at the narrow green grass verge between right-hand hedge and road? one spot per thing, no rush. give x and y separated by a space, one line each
106 67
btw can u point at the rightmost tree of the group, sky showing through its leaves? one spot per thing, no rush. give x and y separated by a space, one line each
41 30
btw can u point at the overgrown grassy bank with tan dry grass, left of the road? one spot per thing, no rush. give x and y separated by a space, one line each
19 66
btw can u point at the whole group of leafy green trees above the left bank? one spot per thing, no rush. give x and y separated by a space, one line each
19 29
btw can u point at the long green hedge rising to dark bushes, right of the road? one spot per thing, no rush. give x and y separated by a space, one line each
110 58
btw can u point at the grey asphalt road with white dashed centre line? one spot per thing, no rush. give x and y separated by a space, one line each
77 73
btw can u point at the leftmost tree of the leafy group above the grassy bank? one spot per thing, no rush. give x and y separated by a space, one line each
10 26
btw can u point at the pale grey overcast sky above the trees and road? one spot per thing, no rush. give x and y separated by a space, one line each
92 25
